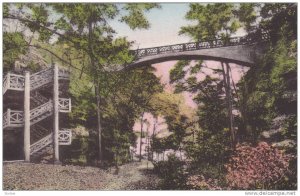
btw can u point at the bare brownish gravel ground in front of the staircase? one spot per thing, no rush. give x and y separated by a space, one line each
29 176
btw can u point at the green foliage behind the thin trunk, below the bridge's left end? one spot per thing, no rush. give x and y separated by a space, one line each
126 96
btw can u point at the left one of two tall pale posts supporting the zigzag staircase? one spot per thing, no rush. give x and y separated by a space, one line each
27 117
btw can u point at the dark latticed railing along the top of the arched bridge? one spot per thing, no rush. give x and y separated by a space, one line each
233 41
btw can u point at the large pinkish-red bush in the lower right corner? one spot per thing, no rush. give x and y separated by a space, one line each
261 167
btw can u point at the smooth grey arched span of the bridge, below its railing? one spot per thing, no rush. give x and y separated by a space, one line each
244 55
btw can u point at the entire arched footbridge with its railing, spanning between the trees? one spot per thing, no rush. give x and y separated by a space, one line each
241 50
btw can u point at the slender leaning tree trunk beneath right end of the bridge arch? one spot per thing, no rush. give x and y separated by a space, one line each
227 86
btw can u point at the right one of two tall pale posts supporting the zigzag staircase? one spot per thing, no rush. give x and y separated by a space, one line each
55 115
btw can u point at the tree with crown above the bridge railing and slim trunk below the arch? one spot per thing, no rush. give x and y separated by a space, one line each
213 21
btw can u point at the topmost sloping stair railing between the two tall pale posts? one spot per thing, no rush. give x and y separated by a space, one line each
41 78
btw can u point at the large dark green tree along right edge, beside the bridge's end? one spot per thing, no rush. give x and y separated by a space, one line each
262 88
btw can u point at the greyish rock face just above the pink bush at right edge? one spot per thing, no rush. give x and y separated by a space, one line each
275 134
